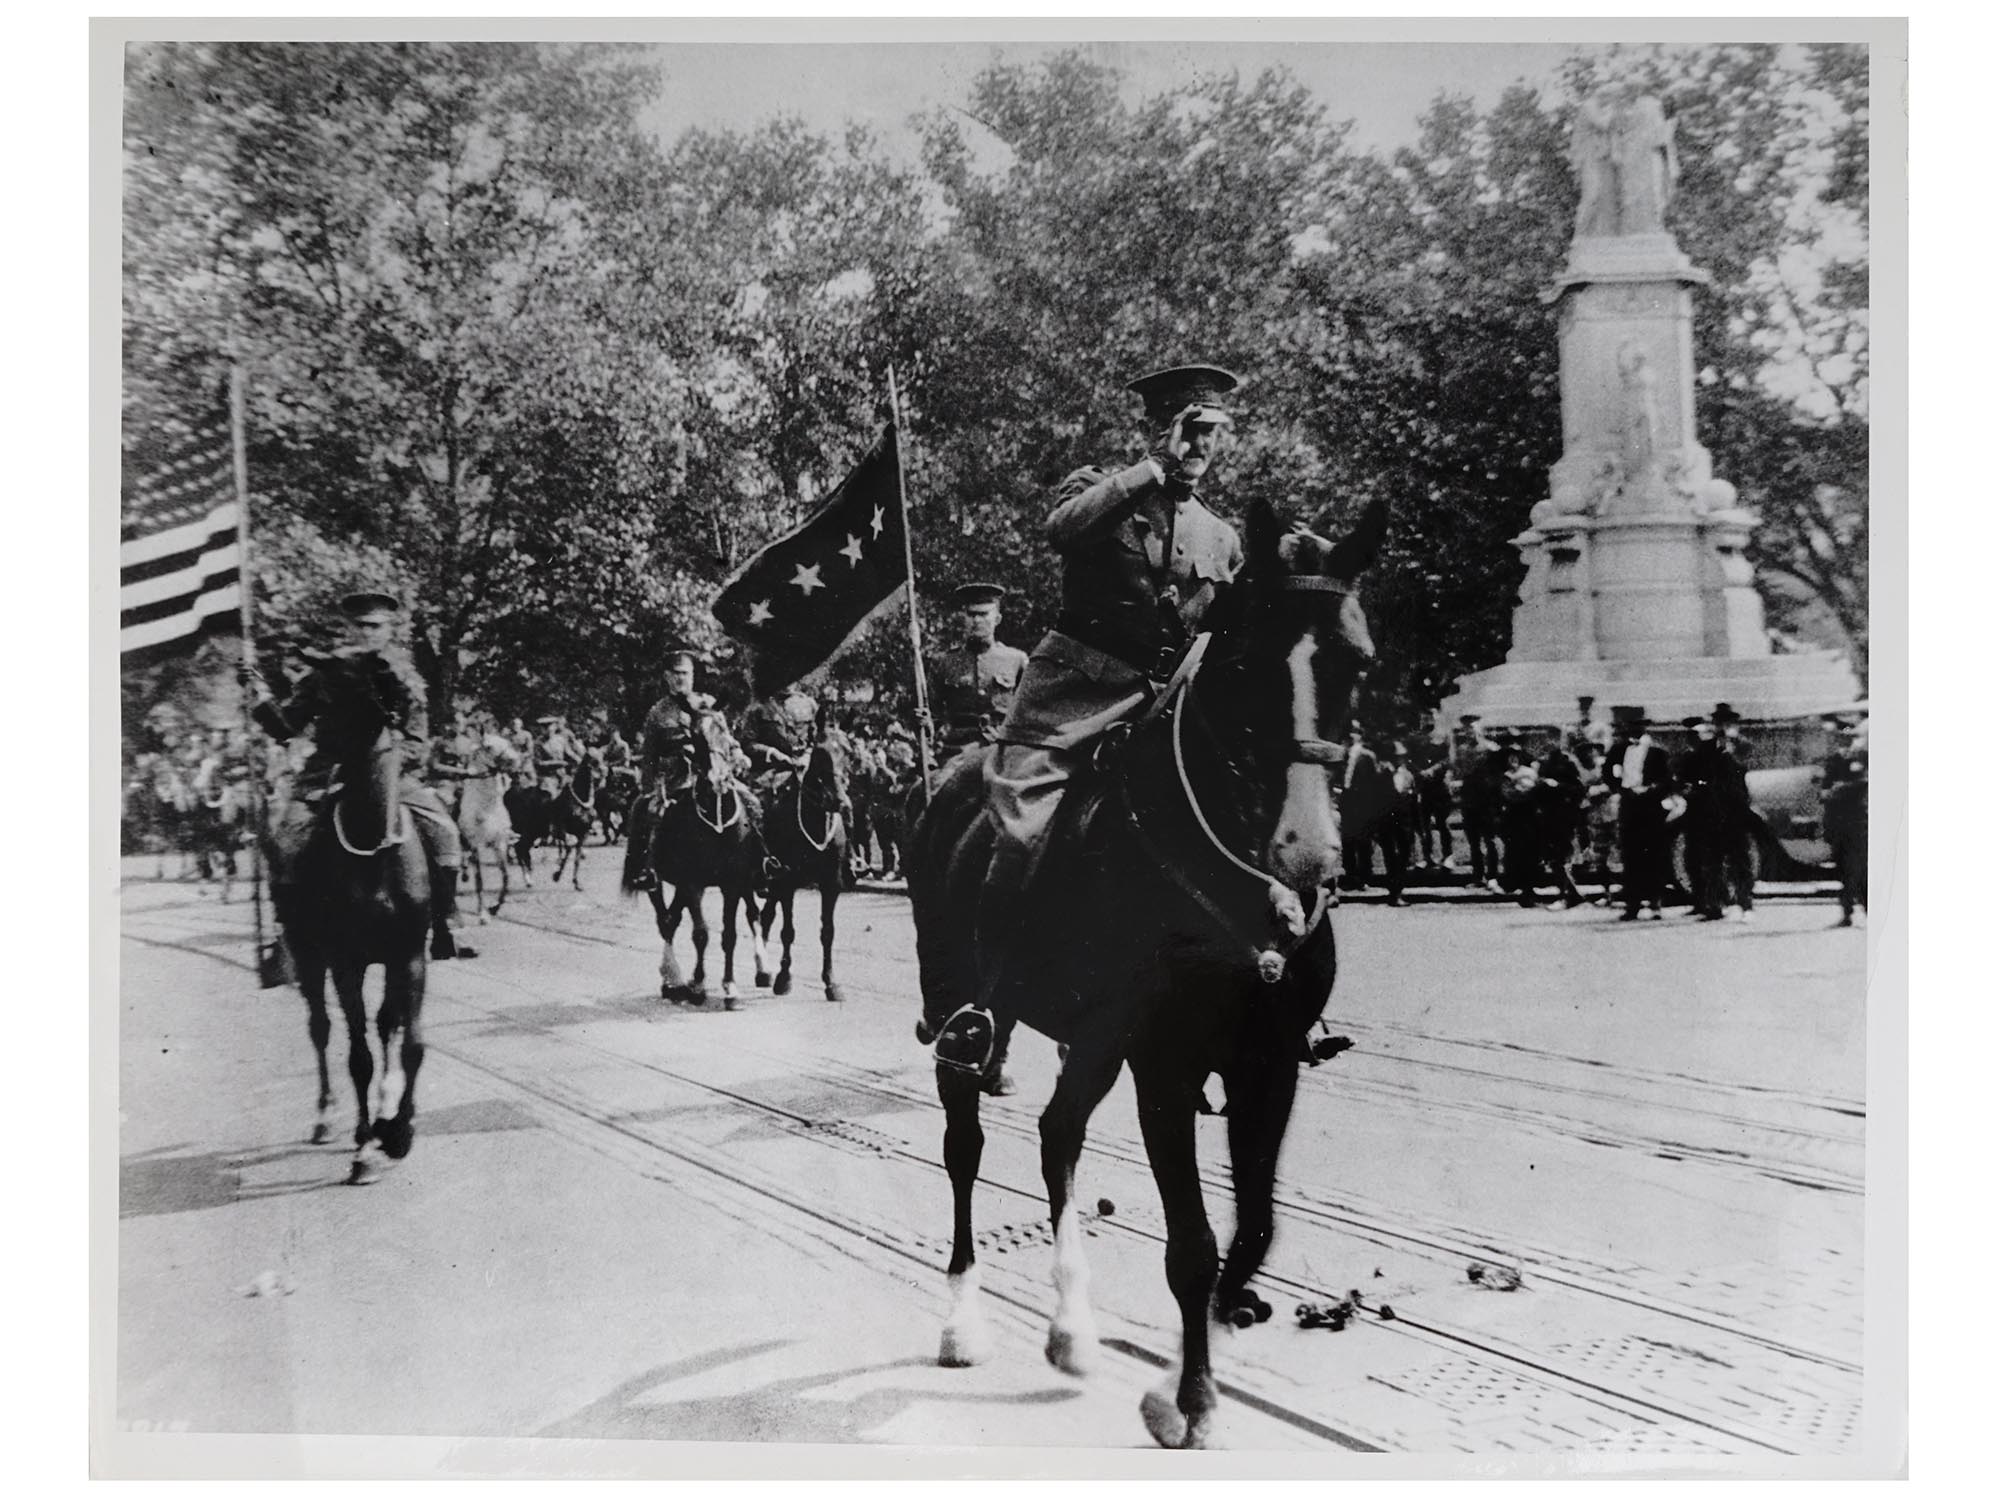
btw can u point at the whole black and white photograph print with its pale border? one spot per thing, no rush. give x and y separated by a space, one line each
1017 741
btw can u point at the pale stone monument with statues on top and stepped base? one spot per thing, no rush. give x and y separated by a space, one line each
1639 589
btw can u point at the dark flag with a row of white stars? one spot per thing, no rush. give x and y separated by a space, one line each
799 601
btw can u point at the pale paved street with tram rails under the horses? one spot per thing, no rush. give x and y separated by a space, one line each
627 1219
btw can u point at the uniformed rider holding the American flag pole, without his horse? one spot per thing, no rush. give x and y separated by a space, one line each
403 697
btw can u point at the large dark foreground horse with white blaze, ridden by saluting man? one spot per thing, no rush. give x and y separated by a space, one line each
1179 927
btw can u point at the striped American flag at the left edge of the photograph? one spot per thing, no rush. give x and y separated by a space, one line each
179 563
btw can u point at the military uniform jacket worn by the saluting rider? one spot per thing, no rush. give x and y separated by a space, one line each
1123 543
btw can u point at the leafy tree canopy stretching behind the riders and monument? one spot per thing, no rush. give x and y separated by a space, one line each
555 377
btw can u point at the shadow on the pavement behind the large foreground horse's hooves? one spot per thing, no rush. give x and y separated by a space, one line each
783 1411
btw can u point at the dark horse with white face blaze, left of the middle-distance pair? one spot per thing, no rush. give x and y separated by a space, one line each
707 837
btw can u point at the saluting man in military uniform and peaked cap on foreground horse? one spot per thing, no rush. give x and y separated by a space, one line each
1143 561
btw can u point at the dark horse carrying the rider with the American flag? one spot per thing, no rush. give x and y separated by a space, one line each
361 895
